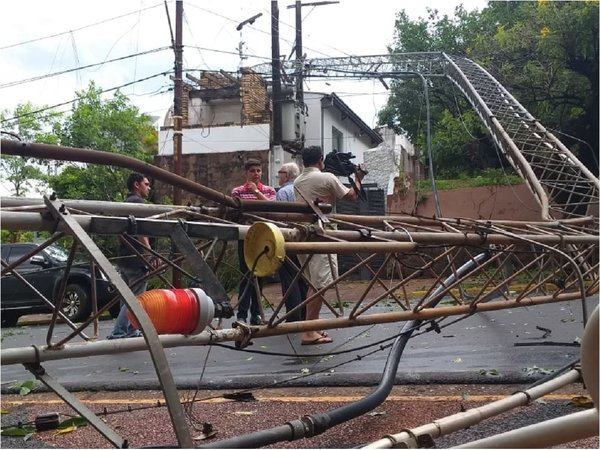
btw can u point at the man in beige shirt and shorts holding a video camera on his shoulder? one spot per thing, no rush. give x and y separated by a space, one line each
314 185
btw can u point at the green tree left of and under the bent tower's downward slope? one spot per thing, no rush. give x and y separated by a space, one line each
460 142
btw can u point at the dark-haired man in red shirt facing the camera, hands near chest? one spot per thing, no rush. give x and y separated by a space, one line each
252 189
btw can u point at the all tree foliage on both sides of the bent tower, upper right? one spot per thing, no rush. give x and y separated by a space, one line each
546 55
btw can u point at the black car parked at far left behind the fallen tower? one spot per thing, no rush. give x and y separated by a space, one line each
45 271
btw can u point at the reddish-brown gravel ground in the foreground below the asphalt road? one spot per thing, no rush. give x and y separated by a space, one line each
137 416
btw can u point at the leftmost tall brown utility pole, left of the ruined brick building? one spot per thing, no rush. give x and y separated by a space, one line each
177 101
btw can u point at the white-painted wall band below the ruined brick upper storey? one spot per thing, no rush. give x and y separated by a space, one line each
217 139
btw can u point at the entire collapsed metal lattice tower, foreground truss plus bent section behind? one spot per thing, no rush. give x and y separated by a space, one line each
470 265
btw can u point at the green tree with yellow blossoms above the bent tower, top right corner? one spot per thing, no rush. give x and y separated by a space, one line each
546 54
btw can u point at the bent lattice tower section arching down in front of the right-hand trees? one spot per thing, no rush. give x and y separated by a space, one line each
562 185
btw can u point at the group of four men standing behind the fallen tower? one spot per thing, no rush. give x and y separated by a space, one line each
314 185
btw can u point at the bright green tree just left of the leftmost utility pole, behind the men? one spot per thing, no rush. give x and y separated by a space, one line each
111 125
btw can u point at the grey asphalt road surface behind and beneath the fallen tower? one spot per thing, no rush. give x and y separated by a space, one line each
508 346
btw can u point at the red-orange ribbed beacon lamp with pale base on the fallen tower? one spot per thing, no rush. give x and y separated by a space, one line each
176 311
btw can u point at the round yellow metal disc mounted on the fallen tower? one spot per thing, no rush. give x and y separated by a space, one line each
265 242
